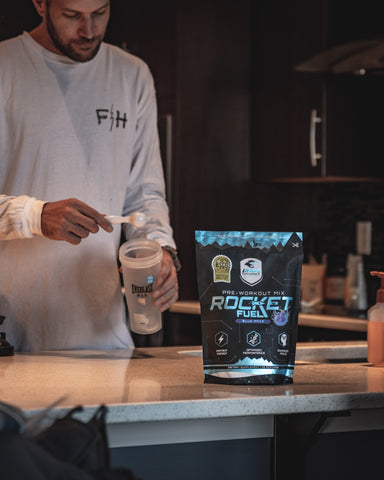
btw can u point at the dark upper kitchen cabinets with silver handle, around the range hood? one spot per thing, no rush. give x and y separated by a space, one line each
347 109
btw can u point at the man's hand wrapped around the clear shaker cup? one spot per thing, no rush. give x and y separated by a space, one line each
166 286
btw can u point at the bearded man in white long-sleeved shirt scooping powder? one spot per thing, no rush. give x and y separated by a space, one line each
78 142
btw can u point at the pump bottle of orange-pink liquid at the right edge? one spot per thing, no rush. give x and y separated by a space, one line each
375 334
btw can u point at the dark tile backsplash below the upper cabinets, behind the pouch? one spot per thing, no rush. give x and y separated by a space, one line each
327 214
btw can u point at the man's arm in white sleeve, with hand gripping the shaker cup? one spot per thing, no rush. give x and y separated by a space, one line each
146 193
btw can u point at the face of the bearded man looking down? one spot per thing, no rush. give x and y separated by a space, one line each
77 27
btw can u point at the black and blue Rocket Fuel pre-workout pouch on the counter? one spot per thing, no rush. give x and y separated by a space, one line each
249 289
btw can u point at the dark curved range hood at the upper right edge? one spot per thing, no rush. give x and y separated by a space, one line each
356 58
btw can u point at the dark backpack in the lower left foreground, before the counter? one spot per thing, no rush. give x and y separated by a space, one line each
68 449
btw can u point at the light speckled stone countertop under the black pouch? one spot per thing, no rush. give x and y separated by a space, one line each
150 386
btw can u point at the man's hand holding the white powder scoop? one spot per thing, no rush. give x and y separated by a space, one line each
71 220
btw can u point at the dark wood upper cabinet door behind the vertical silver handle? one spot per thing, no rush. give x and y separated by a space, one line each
282 98
